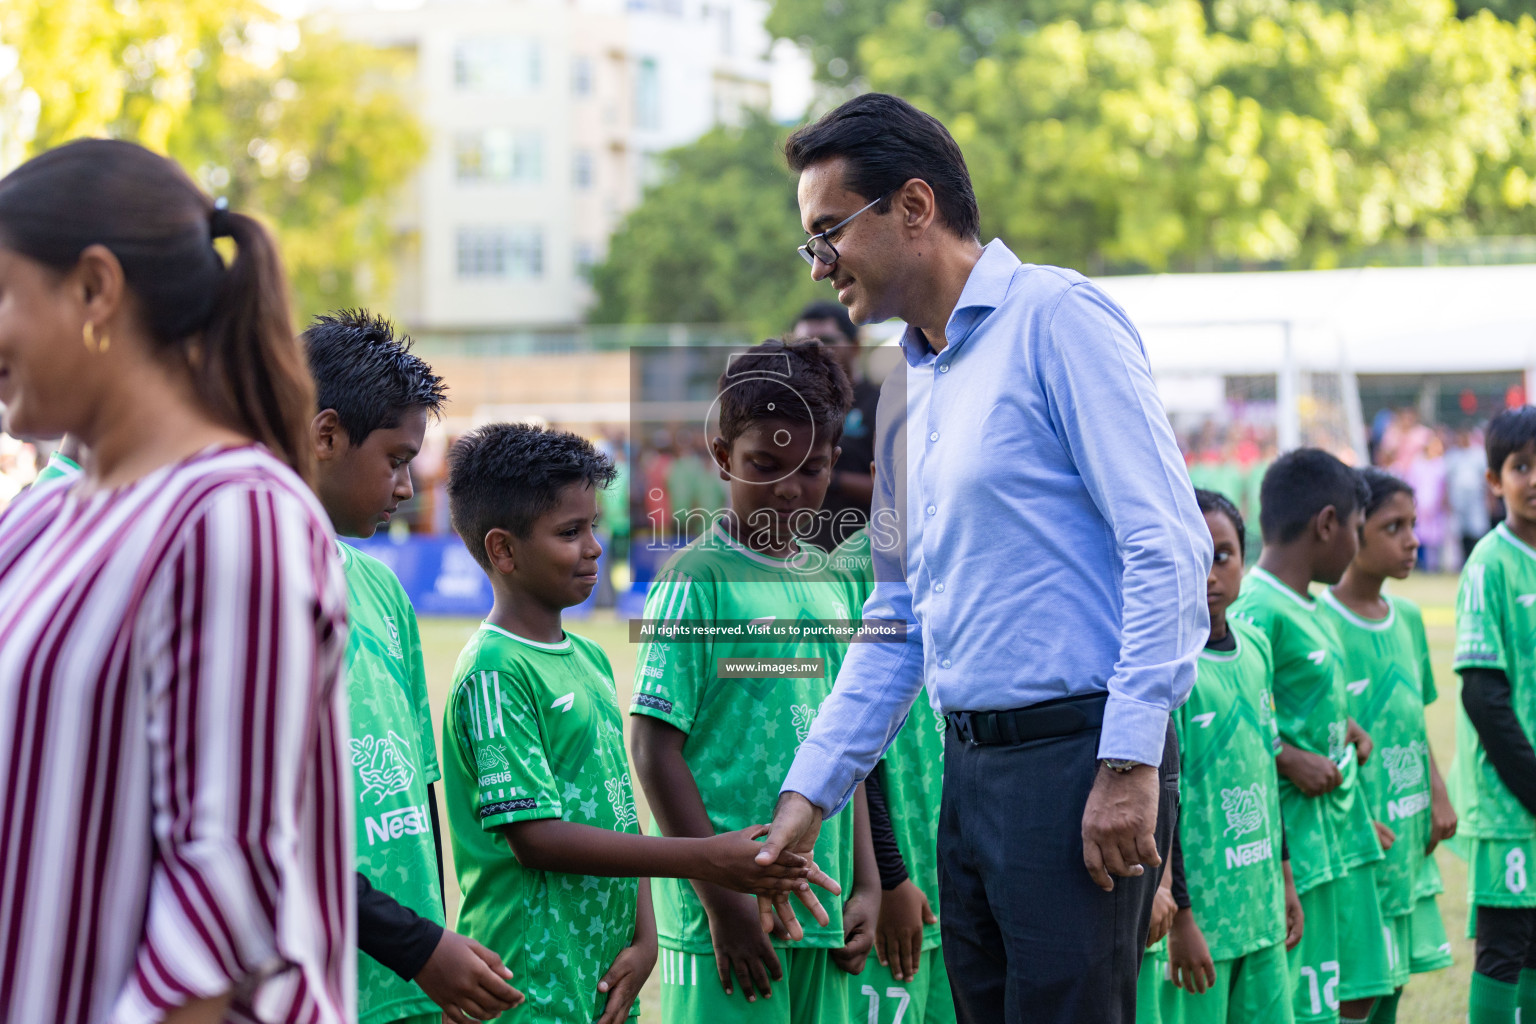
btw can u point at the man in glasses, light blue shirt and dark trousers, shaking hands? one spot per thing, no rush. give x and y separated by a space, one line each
1051 572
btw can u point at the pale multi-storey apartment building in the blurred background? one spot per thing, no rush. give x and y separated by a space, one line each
545 121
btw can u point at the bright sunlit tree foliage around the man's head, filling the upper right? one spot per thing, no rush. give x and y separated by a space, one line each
1187 134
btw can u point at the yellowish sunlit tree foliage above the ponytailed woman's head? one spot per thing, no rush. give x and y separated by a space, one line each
302 128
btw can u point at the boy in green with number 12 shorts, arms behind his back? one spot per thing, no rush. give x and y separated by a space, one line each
1311 521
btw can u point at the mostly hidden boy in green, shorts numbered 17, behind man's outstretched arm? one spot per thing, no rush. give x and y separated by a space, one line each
904 793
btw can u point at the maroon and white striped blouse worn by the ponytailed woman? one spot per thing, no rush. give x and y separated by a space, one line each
176 816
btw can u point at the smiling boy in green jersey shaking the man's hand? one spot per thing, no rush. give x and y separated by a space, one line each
538 787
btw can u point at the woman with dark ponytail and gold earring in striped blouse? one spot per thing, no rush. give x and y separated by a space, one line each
174 798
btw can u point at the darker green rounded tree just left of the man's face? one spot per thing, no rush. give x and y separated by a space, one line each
715 242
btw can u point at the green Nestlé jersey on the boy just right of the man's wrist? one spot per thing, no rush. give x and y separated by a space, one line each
1230 819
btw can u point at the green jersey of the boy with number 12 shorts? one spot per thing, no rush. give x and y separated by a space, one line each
1309 712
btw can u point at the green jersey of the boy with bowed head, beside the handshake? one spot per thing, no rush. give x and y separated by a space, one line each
743 732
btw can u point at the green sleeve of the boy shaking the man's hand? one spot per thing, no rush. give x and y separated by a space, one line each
497 724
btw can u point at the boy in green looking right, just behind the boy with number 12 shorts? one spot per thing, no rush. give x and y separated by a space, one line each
1388 667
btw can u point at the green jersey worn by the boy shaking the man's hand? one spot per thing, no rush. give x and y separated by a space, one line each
534 732
